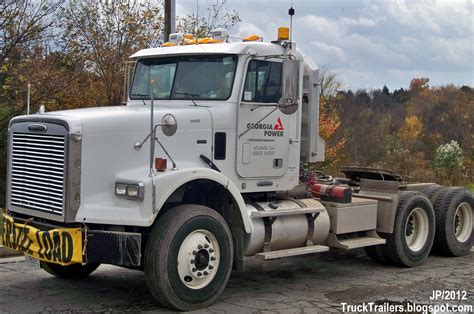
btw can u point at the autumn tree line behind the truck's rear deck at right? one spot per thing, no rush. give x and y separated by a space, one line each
423 133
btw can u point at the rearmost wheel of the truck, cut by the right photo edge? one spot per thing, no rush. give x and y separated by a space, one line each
454 222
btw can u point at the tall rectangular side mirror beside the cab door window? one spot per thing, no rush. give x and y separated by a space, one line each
288 102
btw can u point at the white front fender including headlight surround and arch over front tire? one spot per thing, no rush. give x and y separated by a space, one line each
104 208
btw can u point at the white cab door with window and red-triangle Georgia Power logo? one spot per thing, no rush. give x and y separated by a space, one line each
262 130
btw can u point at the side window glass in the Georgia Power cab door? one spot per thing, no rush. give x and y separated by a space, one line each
263 82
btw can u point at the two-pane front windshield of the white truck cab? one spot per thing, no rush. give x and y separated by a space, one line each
208 77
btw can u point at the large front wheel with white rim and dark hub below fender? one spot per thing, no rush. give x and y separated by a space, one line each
188 257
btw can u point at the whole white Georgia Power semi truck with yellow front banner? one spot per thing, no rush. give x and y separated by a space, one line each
201 169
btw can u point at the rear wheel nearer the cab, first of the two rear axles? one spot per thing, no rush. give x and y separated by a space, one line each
414 229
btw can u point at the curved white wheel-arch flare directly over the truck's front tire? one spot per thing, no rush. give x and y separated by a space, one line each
172 180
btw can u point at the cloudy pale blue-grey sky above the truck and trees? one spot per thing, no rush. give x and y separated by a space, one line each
369 43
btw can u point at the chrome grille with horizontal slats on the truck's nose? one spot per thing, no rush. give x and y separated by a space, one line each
37 172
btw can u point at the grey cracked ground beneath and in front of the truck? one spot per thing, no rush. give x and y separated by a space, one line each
315 283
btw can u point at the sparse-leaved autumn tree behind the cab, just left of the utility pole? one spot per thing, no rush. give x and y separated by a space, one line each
105 33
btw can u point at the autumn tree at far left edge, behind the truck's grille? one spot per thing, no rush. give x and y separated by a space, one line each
24 26
